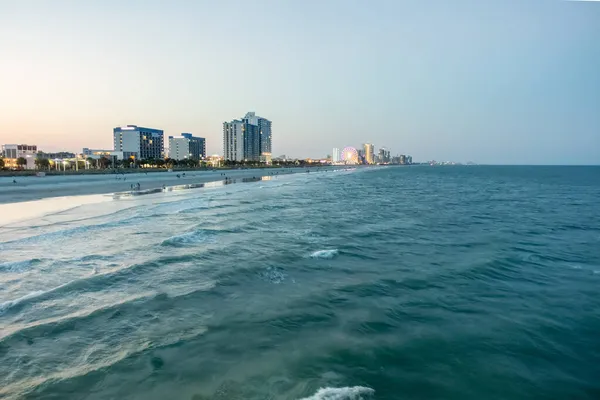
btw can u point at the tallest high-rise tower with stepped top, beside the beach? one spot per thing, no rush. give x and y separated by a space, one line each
247 139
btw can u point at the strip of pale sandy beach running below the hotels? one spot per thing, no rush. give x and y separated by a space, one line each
35 188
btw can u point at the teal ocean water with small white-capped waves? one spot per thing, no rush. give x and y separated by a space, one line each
378 283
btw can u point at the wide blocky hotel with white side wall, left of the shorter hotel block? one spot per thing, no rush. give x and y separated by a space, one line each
142 143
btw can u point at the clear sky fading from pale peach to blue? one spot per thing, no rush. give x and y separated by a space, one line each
499 82
